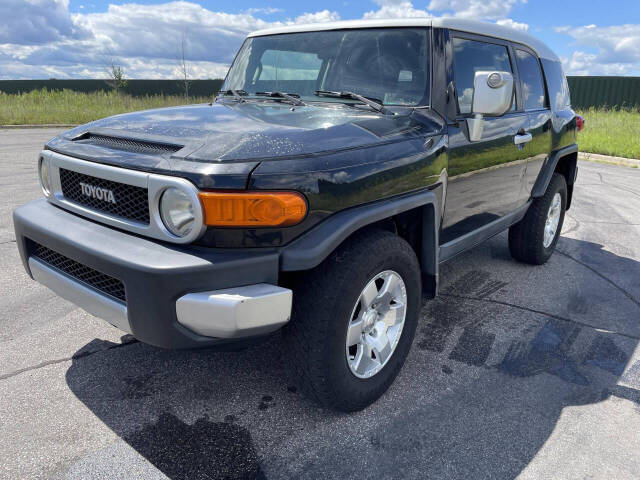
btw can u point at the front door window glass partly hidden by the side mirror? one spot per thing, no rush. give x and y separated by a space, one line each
471 56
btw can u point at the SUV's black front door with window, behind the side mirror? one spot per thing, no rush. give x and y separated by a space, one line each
485 176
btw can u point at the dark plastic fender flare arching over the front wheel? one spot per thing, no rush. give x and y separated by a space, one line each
312 247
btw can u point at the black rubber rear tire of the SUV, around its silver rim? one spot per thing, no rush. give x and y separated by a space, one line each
527 237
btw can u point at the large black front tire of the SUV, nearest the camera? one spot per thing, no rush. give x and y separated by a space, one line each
324 302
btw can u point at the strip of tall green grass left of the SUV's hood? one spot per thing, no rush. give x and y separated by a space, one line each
66 106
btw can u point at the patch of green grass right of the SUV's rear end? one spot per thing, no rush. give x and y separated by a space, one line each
611 132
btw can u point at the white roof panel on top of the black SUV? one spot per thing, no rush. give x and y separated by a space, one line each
469 26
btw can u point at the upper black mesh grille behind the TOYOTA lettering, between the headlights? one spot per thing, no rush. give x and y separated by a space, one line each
131 202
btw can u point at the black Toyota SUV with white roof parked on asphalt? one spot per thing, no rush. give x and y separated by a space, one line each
338 167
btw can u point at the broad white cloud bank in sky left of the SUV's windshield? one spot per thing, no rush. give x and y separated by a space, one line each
42 40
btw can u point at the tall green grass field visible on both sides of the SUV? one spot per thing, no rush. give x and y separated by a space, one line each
610 132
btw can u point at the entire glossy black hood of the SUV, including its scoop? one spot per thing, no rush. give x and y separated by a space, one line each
218 145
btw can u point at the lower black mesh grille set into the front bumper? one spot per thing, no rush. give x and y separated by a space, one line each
104 283
